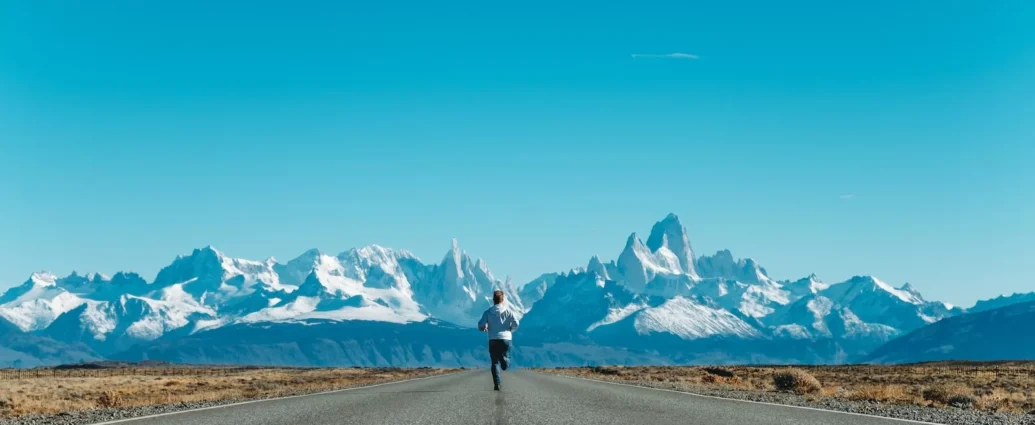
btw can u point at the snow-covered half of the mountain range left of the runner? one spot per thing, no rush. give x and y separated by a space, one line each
208 290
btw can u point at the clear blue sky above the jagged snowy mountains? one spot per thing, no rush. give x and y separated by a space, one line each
889 138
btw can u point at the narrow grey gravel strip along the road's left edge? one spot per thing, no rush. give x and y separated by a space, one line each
104 415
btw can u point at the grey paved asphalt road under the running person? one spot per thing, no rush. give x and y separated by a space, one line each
527 399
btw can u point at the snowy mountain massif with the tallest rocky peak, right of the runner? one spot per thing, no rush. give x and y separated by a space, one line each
729 297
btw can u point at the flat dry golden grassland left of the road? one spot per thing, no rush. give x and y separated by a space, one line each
54 396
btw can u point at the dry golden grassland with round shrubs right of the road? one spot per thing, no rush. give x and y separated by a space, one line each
1001 387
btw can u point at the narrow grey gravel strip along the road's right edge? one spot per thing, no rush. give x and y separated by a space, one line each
948 416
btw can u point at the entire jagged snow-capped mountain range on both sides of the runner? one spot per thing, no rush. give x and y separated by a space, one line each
657 296
